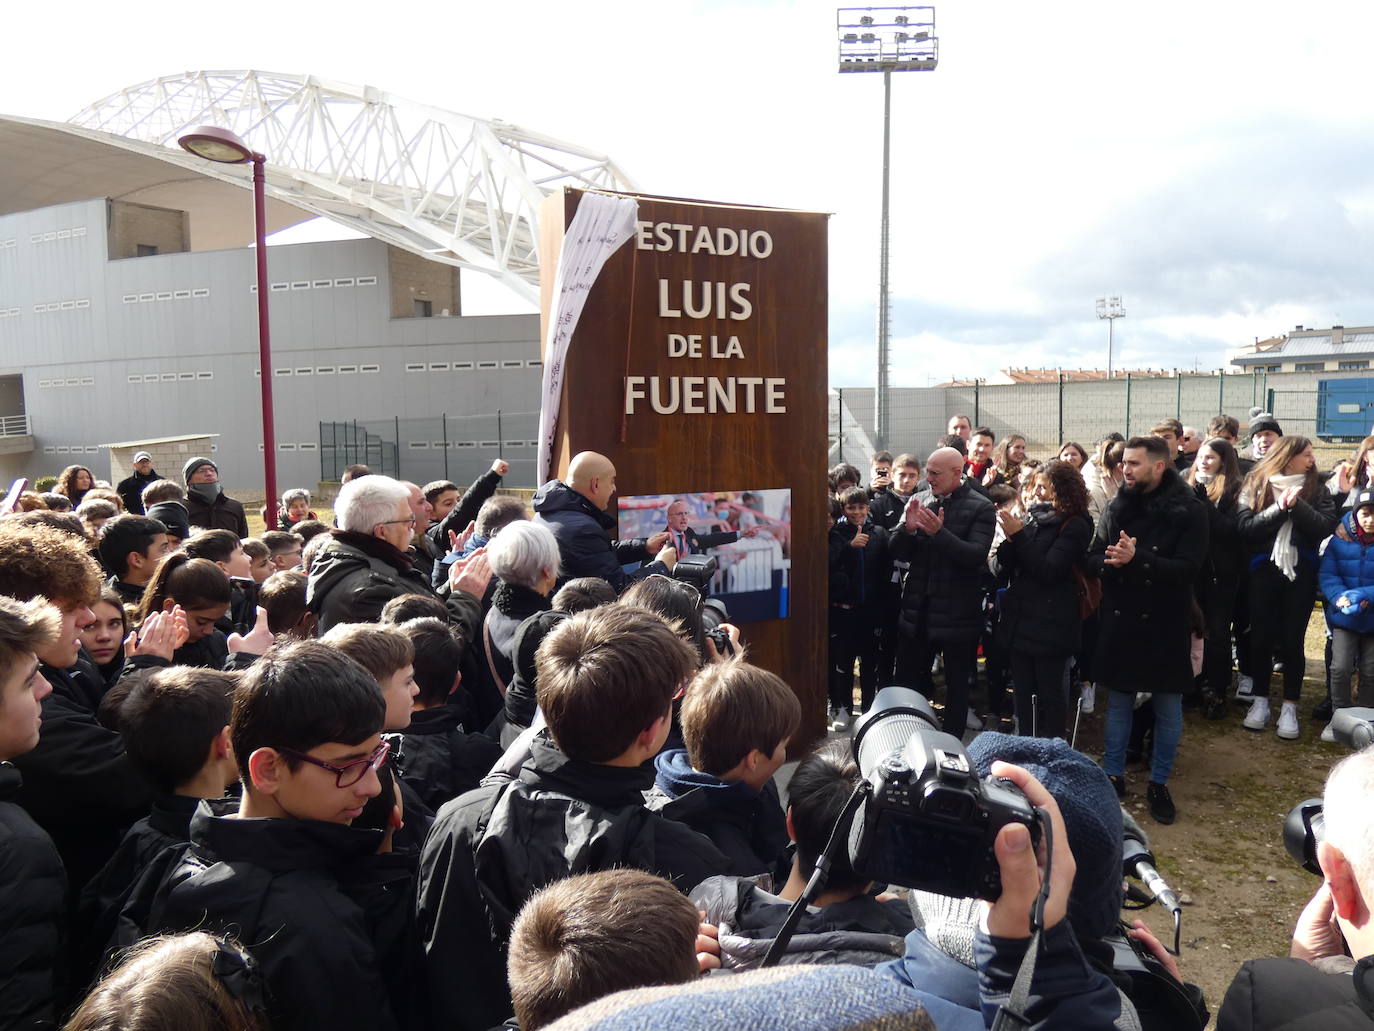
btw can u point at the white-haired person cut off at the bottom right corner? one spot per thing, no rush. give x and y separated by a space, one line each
1329 979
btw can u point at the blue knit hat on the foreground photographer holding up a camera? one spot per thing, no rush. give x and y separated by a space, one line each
1092 816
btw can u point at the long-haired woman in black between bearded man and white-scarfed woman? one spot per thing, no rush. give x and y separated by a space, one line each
1215 478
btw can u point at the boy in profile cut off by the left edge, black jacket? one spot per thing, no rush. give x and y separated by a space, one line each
34 887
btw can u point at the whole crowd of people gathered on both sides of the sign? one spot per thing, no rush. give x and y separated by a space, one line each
455 761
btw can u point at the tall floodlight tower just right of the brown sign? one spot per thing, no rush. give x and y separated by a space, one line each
887 41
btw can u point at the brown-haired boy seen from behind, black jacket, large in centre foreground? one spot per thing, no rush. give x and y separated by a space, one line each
608 681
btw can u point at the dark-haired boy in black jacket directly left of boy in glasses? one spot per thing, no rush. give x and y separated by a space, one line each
175 724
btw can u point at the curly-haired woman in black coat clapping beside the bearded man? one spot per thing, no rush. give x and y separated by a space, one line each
1041 626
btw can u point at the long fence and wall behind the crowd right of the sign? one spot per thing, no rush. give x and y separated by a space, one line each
1049 414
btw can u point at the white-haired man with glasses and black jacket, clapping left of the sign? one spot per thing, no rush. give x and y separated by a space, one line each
366 564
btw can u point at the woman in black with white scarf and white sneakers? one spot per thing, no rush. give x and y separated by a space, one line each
1284 516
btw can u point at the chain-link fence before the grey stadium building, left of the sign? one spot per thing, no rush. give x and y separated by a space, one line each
440 447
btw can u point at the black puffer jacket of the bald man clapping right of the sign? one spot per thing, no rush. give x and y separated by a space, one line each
947 571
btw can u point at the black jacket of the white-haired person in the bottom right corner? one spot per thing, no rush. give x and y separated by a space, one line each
1295 996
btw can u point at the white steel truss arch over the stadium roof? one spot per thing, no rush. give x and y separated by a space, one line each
446 186
